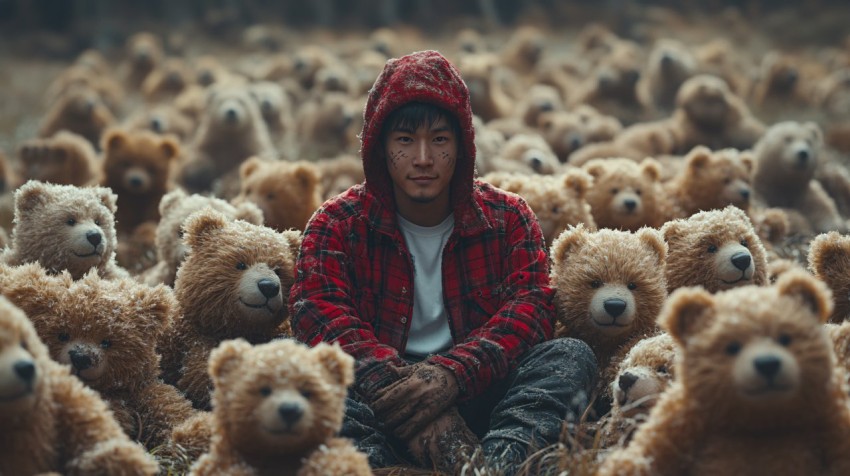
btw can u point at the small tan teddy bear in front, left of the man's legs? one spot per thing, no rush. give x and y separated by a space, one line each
278 407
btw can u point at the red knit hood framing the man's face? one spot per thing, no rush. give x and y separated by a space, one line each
427 77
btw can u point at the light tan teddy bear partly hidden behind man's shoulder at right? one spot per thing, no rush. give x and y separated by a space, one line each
557 200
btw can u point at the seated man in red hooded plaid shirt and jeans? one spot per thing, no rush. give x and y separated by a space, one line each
437 284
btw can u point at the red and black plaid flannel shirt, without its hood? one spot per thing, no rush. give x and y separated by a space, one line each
354 286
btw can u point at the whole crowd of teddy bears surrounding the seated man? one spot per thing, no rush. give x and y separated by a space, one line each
151 232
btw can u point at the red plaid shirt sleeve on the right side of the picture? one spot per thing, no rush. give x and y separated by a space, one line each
525 318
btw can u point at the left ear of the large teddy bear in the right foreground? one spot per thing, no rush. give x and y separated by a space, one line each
686 312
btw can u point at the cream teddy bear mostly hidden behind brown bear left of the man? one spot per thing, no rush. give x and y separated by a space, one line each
174 208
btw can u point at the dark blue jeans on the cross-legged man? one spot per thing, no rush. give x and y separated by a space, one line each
526 410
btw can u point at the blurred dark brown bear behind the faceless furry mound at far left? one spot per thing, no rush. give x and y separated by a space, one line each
80 110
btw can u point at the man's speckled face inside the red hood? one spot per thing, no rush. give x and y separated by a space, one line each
421 163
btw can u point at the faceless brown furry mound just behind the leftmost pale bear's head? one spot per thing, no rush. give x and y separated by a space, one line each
65 159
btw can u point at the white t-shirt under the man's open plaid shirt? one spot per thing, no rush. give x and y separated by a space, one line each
429 328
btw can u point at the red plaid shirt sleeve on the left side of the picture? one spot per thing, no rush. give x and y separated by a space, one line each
321 306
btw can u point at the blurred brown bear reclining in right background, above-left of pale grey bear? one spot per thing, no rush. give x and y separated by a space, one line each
708 113
